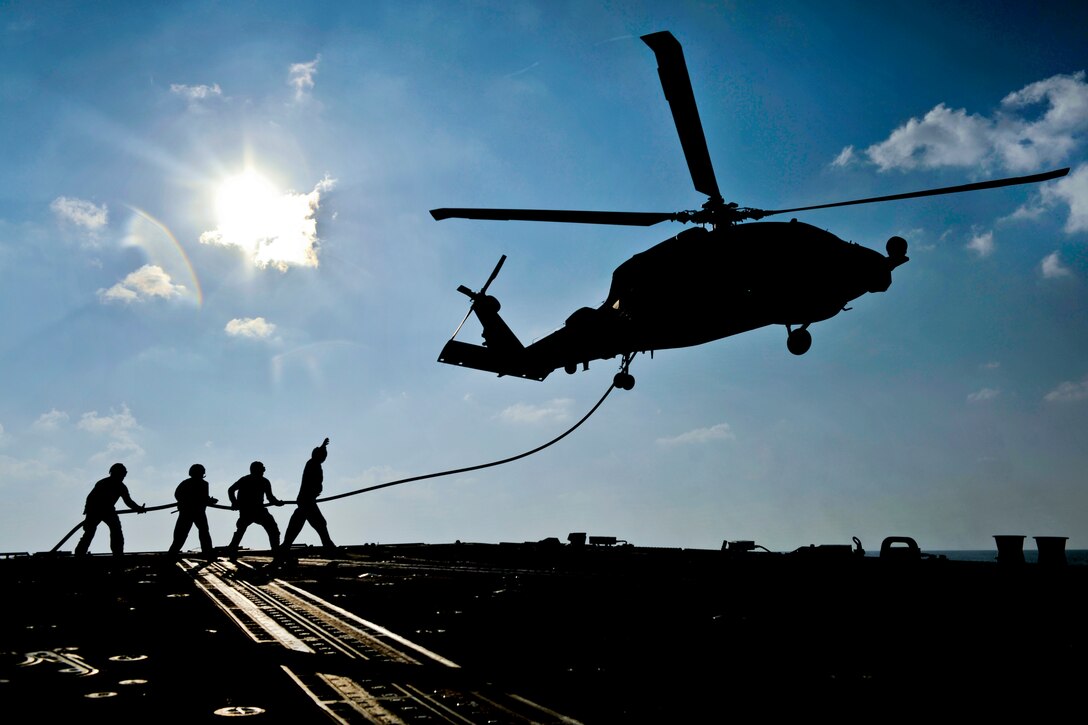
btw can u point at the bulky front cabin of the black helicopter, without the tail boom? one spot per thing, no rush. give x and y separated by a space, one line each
703 286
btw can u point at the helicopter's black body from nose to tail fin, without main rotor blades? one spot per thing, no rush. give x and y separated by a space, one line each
693 289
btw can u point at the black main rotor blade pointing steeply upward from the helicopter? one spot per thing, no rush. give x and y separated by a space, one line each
676 83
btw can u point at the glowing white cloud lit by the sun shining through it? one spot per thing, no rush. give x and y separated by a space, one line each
275 230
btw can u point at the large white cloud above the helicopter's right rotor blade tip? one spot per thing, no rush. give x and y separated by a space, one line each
1017 138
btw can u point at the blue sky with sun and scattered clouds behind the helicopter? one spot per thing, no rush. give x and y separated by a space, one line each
216 249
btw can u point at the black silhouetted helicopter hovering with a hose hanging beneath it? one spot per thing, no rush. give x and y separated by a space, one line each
712 281
